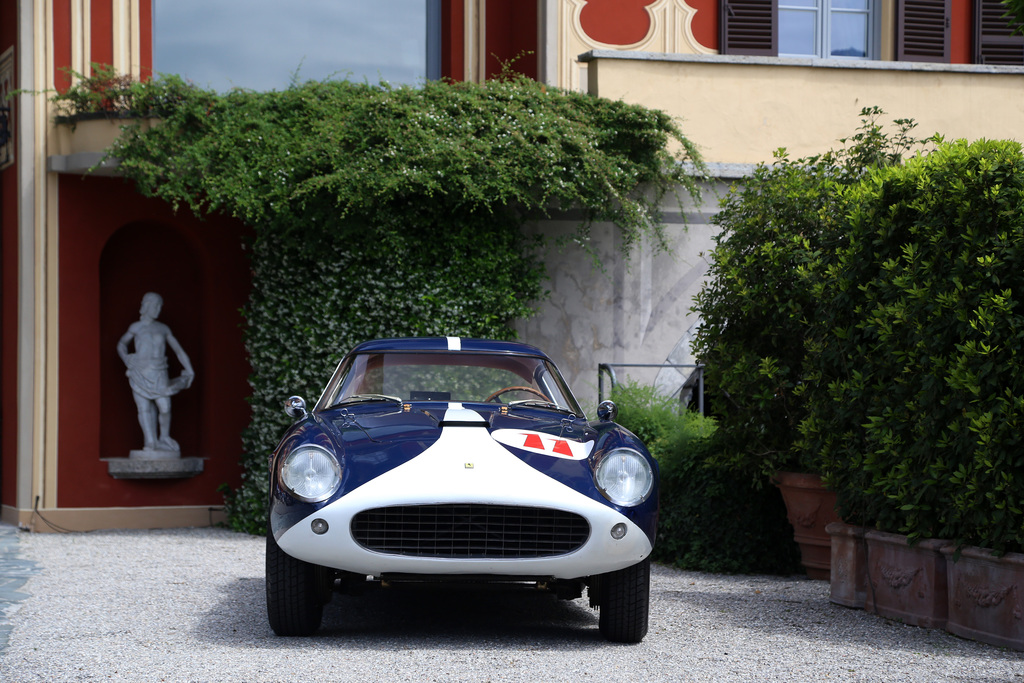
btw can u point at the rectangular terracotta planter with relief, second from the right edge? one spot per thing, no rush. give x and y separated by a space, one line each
907 583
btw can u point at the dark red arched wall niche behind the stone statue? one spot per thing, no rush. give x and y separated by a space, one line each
143 258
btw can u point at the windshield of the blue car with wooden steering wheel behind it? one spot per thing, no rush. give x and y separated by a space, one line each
450 377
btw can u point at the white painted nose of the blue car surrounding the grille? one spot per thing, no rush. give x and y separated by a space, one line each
465 465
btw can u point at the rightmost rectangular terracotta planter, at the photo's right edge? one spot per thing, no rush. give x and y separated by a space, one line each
986 601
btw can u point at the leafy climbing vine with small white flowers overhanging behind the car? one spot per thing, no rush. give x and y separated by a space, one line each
379 211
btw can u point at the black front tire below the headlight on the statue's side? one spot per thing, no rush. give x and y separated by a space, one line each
295 592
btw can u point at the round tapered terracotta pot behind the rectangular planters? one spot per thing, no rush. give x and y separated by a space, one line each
810 507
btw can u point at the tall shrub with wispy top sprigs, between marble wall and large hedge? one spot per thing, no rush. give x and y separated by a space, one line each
781 229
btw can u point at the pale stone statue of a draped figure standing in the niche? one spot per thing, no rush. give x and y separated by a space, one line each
148 376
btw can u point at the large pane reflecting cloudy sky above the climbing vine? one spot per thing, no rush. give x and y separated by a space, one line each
263 45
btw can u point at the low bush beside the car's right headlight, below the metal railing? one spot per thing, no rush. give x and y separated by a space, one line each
711 519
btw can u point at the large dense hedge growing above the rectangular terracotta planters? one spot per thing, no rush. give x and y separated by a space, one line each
918 362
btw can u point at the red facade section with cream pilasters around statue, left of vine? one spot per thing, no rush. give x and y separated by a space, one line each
78 252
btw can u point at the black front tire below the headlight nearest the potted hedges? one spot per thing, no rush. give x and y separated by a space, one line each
625 604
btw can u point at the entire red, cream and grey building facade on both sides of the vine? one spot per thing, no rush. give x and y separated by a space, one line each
79 249
